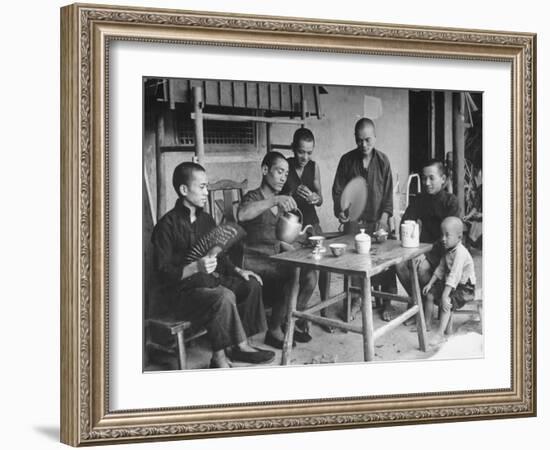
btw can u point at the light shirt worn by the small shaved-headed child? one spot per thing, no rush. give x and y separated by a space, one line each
456 267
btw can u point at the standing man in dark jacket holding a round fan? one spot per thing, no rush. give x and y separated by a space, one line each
374 166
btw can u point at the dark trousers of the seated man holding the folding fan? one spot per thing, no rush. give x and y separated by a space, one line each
230 312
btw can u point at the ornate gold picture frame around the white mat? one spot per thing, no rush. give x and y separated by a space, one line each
87 33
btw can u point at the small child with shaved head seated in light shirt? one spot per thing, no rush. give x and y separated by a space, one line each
453 282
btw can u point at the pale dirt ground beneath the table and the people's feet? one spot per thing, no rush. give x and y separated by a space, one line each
400 344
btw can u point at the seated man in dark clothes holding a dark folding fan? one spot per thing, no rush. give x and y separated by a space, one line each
210 292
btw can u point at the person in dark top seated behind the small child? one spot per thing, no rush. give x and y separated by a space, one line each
429 209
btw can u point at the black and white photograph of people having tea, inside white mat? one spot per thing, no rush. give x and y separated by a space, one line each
304 224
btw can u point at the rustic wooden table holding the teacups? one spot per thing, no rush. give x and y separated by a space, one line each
381 257
